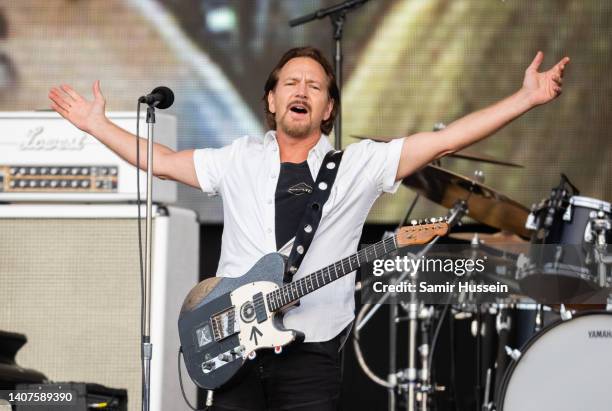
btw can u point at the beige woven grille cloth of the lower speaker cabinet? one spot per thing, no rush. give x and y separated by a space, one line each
73 287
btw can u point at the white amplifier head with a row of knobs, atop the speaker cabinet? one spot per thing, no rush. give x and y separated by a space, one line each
45 158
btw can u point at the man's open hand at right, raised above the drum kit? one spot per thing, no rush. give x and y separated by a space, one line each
546 86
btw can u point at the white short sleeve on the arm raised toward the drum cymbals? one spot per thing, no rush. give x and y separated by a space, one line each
380 161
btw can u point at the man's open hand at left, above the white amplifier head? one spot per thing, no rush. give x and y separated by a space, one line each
83 113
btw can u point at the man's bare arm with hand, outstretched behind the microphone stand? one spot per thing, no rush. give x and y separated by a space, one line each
90 117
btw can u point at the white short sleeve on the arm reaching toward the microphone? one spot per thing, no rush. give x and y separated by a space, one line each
211 165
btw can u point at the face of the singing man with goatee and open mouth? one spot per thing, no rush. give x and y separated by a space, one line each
300 101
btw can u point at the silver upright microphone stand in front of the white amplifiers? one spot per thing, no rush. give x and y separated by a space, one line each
147 346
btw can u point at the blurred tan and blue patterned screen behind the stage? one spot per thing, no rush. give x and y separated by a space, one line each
408 65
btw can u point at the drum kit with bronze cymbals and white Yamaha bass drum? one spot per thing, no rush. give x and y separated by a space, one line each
548 345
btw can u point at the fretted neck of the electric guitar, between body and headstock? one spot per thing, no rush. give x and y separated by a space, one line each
295 290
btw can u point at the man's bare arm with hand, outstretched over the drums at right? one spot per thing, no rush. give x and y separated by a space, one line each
538 88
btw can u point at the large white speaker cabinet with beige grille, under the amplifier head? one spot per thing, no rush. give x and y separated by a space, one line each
70 281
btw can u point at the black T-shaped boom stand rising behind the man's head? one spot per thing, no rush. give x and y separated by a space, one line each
337 14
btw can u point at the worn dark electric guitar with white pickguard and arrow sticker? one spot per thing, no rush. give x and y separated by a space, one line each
224 321
